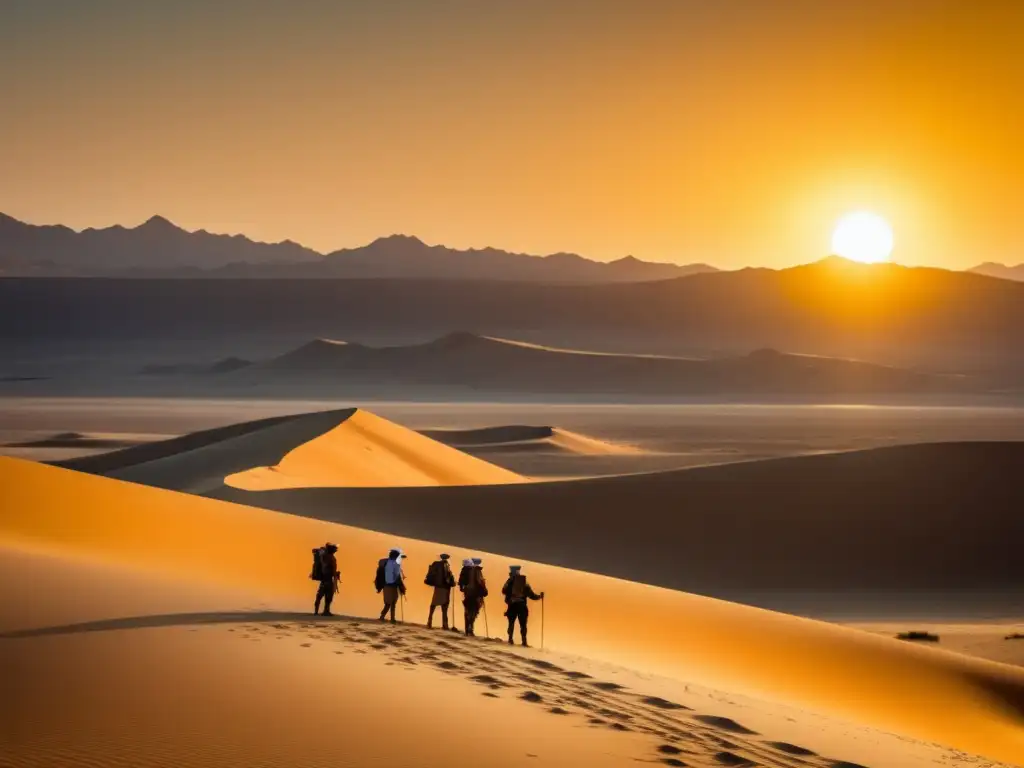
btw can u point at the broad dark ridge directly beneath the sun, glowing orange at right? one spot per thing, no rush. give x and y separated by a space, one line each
919 318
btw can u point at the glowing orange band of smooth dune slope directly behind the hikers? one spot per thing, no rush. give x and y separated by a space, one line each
963 703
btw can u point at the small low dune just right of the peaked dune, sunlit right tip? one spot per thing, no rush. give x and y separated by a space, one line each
529 439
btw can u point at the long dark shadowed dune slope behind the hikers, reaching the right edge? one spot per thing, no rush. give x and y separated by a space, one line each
889 519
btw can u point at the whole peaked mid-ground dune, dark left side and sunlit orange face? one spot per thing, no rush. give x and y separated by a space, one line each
332 448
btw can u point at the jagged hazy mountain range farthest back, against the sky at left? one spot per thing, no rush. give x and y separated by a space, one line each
160 249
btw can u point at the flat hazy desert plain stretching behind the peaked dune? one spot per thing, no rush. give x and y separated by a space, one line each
671 437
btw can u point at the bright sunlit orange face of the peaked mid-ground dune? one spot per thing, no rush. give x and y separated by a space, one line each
366 451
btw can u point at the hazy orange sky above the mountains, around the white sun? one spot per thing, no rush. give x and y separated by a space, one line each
730 132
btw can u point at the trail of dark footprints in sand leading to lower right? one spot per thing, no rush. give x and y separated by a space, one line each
682 737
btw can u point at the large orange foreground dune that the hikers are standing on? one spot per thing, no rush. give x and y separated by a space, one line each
209 687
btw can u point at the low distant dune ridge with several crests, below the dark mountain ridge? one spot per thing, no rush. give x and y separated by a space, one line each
489 364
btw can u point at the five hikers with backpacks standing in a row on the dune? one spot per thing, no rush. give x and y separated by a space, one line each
391 583
